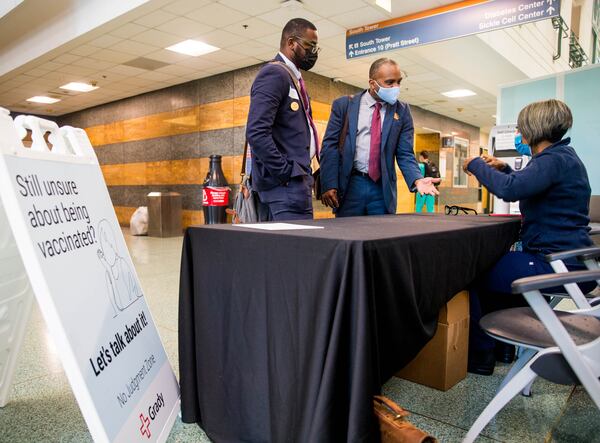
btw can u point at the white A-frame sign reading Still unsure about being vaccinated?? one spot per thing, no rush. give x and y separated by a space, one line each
85 283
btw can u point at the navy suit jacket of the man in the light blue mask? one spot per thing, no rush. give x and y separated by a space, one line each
397 140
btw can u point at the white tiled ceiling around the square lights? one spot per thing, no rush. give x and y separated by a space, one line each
100 55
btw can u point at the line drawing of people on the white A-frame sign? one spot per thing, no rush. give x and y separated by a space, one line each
121 282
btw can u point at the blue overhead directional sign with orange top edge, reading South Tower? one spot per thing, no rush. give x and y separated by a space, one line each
448 22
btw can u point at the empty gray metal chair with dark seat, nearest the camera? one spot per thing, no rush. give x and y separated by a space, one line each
566 345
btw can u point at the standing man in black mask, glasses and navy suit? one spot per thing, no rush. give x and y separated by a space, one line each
280 129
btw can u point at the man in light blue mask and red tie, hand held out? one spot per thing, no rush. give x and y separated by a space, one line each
360 178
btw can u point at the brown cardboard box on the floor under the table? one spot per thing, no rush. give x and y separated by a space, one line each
443 361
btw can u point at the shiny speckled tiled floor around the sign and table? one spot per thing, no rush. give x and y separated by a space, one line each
42 407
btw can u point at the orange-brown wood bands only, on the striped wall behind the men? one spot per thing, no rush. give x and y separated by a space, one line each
190 171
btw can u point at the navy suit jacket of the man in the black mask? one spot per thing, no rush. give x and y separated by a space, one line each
277 129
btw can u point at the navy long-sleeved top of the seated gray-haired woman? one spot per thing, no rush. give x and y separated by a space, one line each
553 193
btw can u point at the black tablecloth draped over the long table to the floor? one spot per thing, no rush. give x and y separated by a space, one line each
284 336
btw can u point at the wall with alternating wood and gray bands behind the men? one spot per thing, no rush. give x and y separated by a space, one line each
161 141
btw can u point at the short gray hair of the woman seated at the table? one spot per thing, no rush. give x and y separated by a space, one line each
547 120
